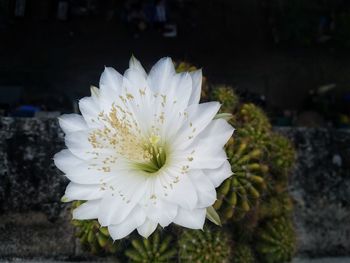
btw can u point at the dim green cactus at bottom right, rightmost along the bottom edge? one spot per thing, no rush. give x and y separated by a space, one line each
276 241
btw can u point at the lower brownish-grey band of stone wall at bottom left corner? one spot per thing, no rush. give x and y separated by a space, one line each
32 234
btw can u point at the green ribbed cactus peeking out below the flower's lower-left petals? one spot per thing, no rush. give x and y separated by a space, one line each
93 237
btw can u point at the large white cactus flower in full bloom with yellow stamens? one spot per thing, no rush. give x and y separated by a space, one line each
144 152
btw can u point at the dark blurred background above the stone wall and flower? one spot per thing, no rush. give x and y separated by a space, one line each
289 56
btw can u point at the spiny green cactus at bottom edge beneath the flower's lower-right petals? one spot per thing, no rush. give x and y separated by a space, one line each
205 246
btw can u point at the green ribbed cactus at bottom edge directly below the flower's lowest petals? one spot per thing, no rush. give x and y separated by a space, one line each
155 249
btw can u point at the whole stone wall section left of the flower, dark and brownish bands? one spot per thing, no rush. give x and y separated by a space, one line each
33 221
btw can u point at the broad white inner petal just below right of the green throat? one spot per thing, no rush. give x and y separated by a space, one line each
183 192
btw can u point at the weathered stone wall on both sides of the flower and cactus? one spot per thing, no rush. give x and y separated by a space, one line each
34 223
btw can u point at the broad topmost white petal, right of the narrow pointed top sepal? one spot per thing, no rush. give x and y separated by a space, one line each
160 75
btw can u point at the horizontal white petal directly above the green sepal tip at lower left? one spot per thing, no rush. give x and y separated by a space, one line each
76 191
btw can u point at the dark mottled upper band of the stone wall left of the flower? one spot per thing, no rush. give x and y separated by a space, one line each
29 180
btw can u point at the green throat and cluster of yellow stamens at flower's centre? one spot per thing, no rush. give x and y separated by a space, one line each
122 134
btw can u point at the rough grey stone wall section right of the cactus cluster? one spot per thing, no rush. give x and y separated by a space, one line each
320 185
